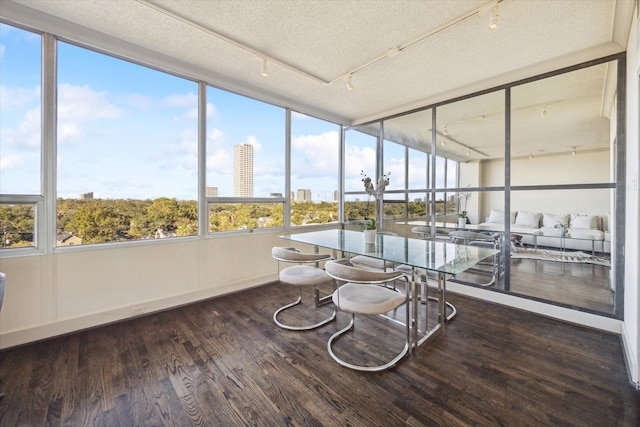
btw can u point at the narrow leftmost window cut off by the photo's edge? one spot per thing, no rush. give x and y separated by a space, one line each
20 136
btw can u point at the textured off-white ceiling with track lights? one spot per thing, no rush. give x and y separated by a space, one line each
443 48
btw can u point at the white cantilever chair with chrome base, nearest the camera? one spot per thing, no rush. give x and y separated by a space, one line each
358 292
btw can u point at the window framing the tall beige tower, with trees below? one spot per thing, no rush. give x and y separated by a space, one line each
245 173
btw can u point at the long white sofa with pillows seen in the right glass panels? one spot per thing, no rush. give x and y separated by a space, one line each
582 231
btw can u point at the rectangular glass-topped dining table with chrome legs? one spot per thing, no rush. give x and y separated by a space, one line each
417 256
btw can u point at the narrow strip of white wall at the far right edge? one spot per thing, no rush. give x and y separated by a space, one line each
631 325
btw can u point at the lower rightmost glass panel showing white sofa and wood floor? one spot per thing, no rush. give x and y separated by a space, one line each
571 249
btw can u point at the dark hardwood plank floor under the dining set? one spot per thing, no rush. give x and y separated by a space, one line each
223 362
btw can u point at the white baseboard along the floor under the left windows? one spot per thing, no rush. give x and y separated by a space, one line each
62 327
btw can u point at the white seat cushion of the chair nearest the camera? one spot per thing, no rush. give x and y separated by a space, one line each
362 299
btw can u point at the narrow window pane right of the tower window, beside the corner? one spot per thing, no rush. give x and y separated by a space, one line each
314 170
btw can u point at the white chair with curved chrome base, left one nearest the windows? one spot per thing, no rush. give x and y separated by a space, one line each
306 273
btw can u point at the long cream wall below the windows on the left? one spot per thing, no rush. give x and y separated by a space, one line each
47 295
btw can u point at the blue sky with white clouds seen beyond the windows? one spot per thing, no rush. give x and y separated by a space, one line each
127 131
